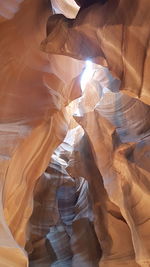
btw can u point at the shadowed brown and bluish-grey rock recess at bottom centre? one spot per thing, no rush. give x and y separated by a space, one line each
61 219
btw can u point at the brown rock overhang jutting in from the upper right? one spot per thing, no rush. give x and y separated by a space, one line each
115 34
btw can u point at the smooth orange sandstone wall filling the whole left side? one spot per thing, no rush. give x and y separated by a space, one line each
33 119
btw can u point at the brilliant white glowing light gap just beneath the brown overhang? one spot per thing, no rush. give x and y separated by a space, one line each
87 75
